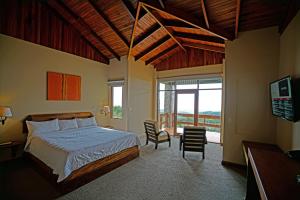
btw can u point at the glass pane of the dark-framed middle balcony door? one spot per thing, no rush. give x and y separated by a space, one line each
185 111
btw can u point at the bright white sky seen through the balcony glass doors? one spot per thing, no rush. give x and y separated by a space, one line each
209 100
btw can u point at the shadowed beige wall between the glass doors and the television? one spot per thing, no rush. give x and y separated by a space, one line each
251 64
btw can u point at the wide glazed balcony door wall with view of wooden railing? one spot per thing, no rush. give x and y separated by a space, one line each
194 102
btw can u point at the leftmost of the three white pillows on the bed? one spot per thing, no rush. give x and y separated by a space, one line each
42 127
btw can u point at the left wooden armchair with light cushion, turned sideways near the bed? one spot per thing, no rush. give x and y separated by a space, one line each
154 134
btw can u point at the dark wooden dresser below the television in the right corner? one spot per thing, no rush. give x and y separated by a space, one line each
271 174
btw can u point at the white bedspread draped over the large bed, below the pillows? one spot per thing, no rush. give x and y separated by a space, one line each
68 150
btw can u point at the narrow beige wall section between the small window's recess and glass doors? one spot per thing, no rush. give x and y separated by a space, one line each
141 95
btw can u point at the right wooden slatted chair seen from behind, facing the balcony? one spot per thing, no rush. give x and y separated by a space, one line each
194 139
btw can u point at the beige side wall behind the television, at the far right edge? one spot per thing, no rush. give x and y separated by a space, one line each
288 133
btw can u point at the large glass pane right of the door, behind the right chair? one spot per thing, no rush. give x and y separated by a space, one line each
210 102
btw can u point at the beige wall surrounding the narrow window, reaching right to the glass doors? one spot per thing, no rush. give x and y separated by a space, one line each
138 93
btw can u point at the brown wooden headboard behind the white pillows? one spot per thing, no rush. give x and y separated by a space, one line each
45 117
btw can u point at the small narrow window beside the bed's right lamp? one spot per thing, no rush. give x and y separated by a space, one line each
117 96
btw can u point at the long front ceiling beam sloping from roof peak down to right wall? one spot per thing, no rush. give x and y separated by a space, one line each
187 18
